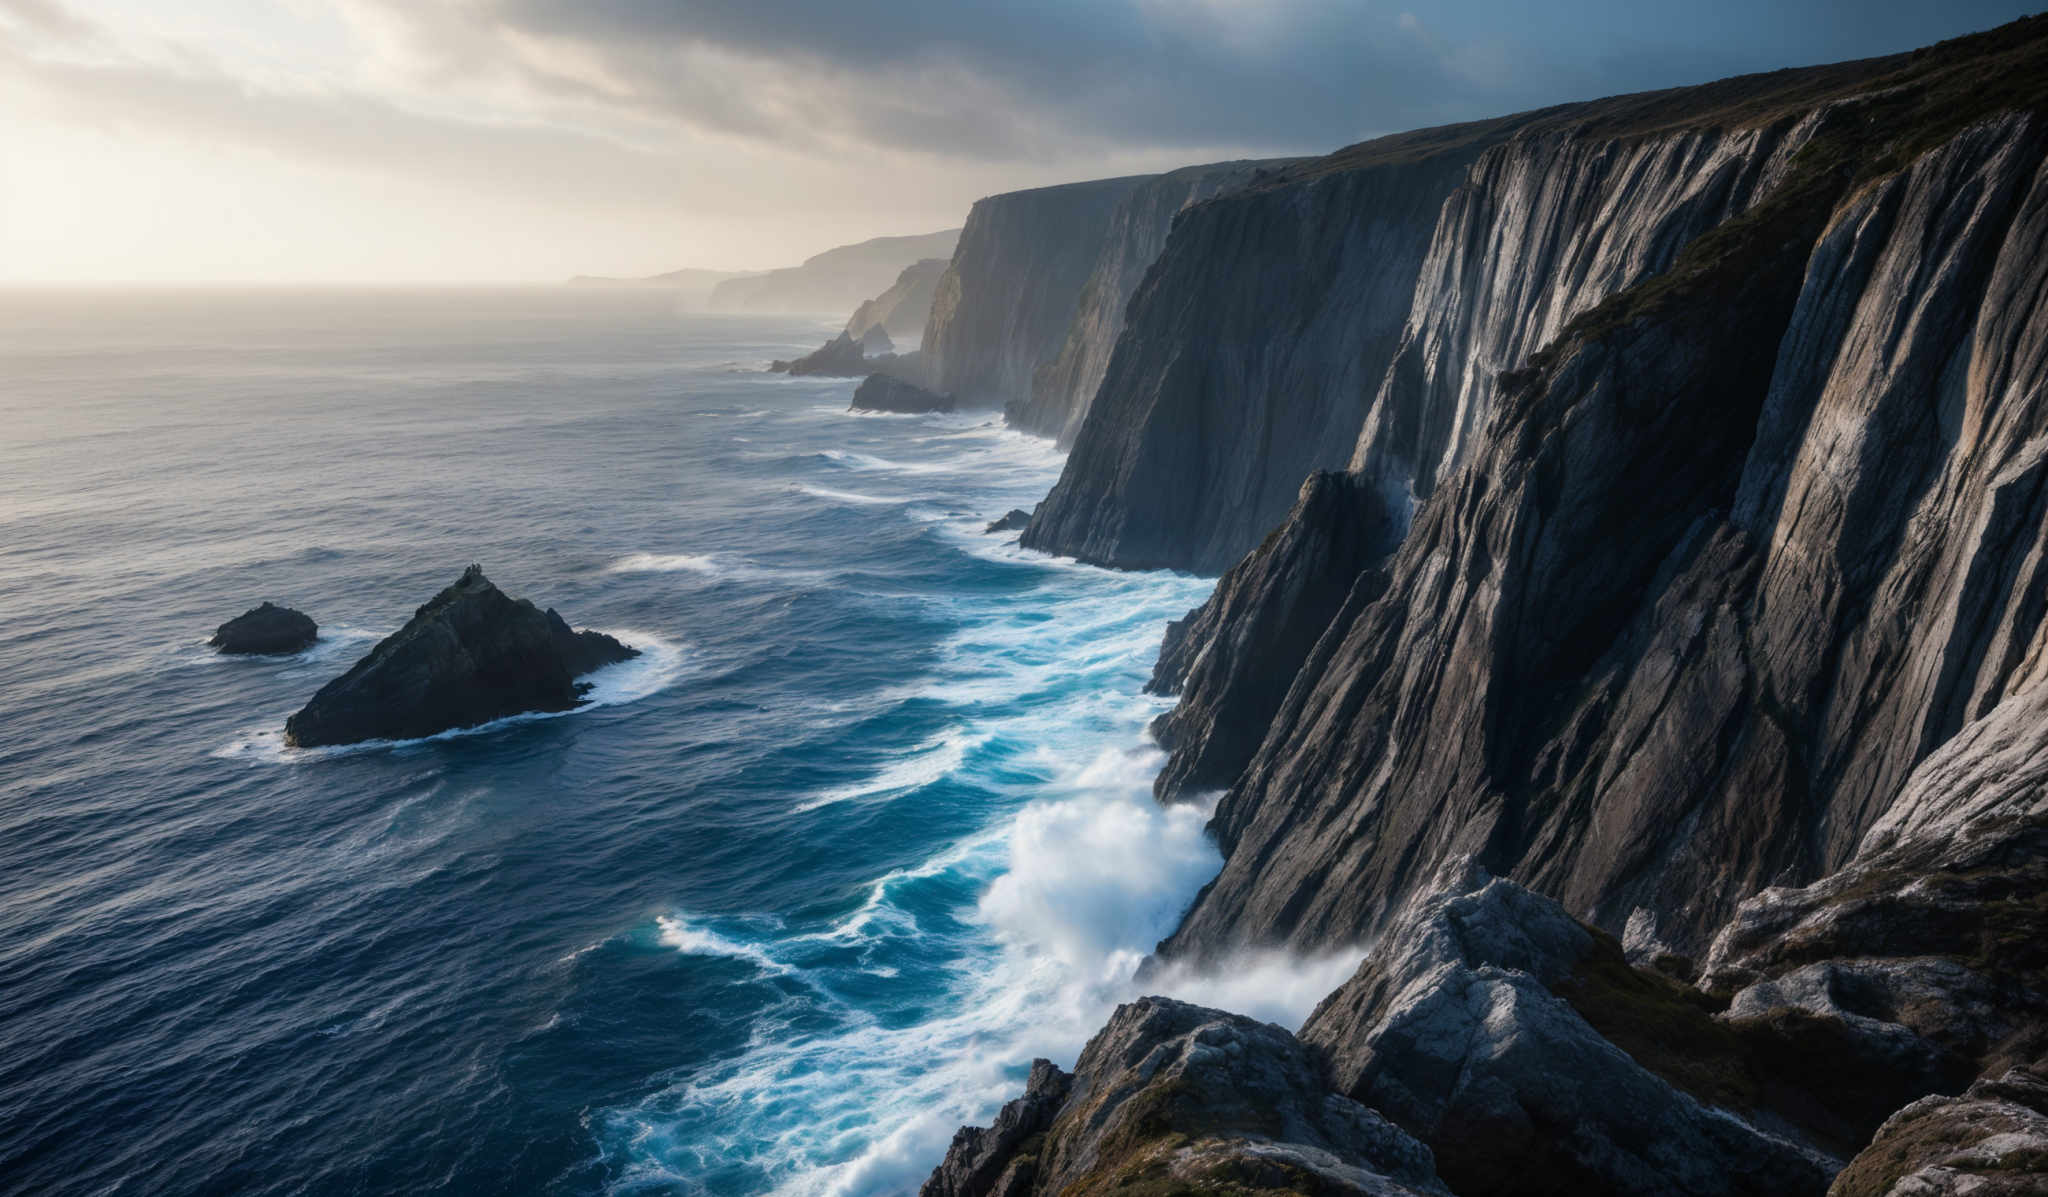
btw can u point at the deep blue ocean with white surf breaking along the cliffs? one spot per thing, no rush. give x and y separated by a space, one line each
802 891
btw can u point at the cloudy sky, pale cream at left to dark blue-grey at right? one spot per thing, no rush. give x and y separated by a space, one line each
531 140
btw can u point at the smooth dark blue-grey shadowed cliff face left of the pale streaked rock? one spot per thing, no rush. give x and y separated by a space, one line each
1246 364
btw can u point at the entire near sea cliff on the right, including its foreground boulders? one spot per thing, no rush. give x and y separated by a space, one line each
1631 524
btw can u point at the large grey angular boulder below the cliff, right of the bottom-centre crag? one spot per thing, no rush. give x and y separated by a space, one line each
1457 1028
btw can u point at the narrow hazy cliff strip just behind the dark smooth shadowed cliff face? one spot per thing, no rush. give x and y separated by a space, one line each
1064 386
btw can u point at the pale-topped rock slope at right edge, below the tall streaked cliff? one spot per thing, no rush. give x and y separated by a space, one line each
1930 944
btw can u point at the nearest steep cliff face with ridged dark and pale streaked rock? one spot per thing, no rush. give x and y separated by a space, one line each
1734 556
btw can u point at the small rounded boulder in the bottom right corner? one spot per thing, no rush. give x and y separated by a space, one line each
1990 1143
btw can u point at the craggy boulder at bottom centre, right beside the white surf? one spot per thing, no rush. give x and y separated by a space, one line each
1183 1100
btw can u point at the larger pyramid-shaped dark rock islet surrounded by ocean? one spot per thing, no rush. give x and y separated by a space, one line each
468 657
